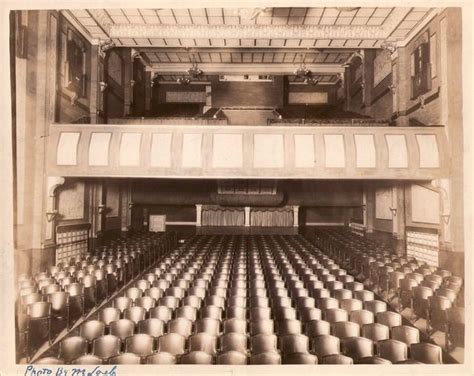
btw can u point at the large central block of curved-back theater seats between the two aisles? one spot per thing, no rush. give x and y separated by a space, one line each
240 300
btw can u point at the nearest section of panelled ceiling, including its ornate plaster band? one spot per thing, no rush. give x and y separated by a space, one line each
393 24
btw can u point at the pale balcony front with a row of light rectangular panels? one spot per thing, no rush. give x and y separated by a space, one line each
275 151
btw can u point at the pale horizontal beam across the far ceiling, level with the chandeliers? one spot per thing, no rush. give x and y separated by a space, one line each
244 68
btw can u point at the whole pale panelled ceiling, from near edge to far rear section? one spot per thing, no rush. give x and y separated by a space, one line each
221 38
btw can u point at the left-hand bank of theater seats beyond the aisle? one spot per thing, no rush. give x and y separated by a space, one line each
50 301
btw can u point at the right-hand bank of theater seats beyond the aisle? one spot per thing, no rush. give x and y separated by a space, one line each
427 291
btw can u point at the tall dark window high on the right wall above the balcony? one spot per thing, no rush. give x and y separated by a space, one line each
420 70
